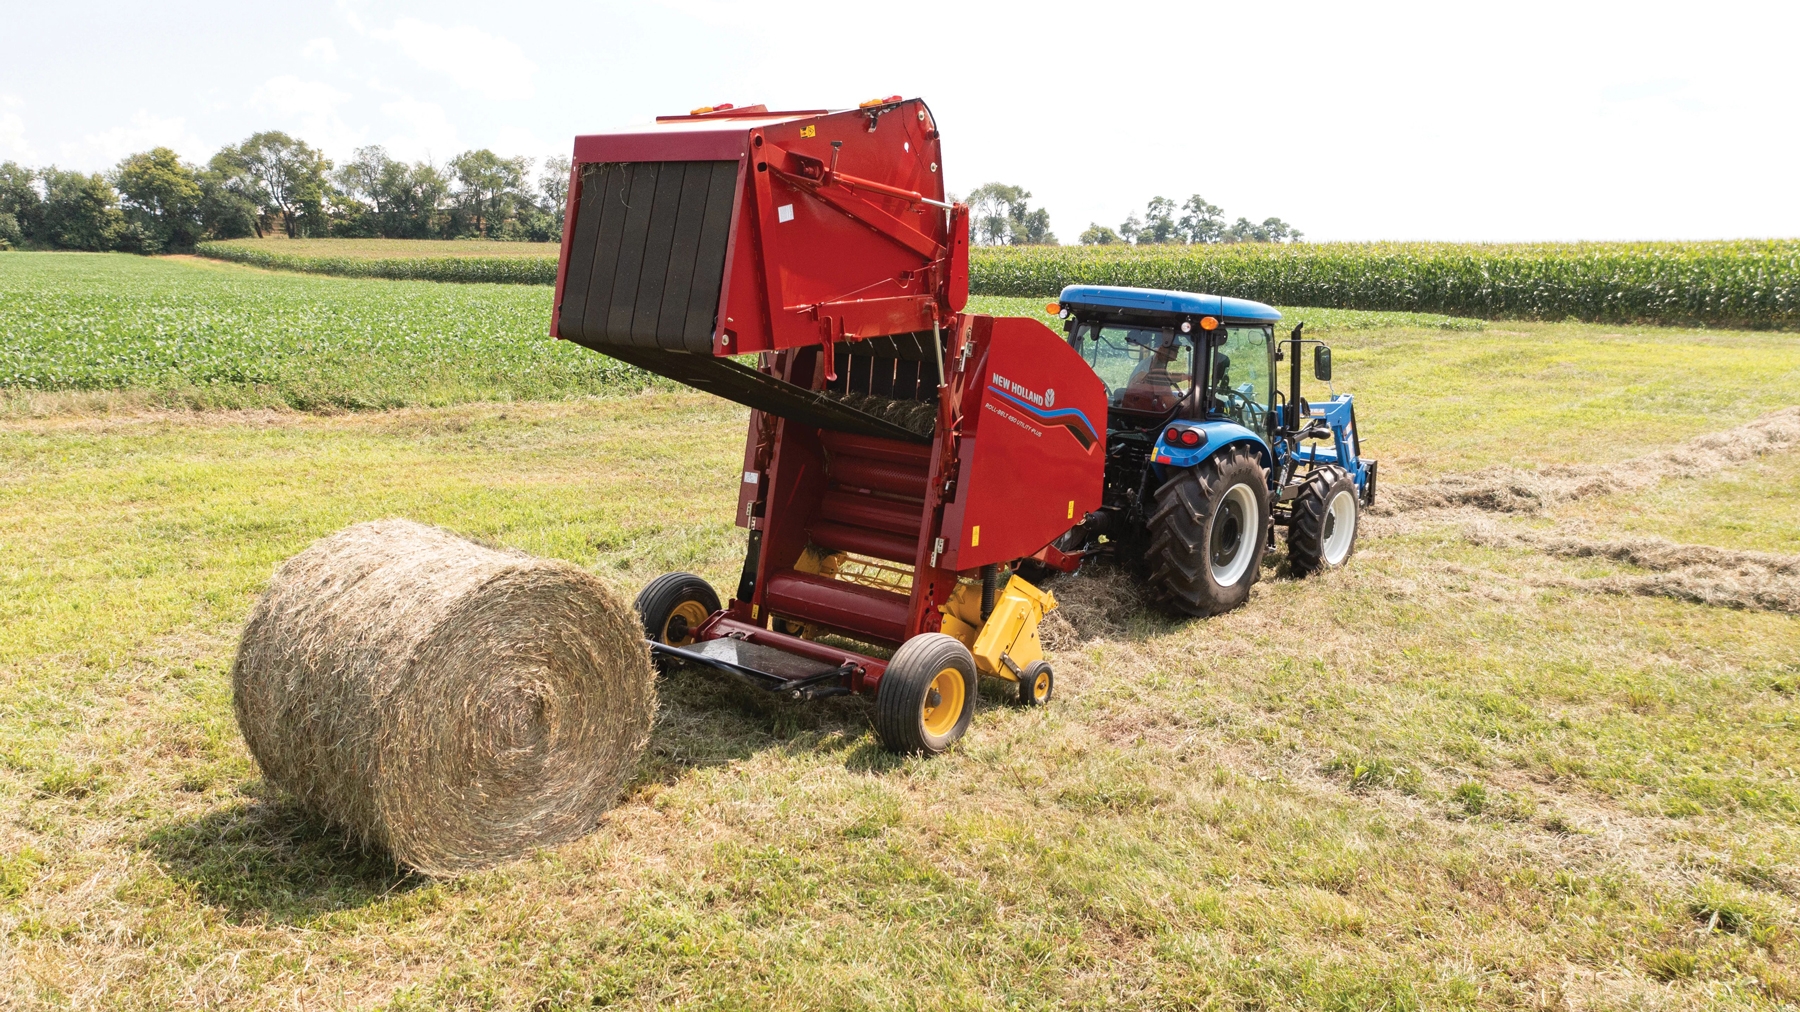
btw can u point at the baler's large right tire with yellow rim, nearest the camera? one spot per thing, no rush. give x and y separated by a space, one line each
928 667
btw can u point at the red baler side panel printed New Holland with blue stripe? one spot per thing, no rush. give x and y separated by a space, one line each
1034 446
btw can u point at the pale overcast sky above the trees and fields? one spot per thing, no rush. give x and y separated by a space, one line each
1351 122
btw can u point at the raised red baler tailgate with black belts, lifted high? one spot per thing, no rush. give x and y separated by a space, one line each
724 237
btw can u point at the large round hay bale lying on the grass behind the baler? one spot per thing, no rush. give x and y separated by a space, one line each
451 703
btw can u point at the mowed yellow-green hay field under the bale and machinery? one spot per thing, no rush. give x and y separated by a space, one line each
1506 759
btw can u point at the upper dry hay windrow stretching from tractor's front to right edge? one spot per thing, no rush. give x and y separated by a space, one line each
1534 491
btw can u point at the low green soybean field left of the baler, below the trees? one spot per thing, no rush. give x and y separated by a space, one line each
201 334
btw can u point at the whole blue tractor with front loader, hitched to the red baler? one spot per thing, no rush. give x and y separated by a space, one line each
1207 455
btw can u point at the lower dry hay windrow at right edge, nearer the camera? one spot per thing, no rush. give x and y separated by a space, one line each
1707 575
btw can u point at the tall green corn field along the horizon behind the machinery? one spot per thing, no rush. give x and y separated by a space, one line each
1749 285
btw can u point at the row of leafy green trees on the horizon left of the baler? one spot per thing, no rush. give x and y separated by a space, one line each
273 183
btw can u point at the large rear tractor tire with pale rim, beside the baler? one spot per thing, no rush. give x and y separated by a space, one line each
1209 532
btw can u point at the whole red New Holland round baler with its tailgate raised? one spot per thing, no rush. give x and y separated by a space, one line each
886 422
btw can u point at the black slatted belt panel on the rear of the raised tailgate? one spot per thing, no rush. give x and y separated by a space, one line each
649 255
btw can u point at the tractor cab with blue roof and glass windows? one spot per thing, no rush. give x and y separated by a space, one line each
1173 356
